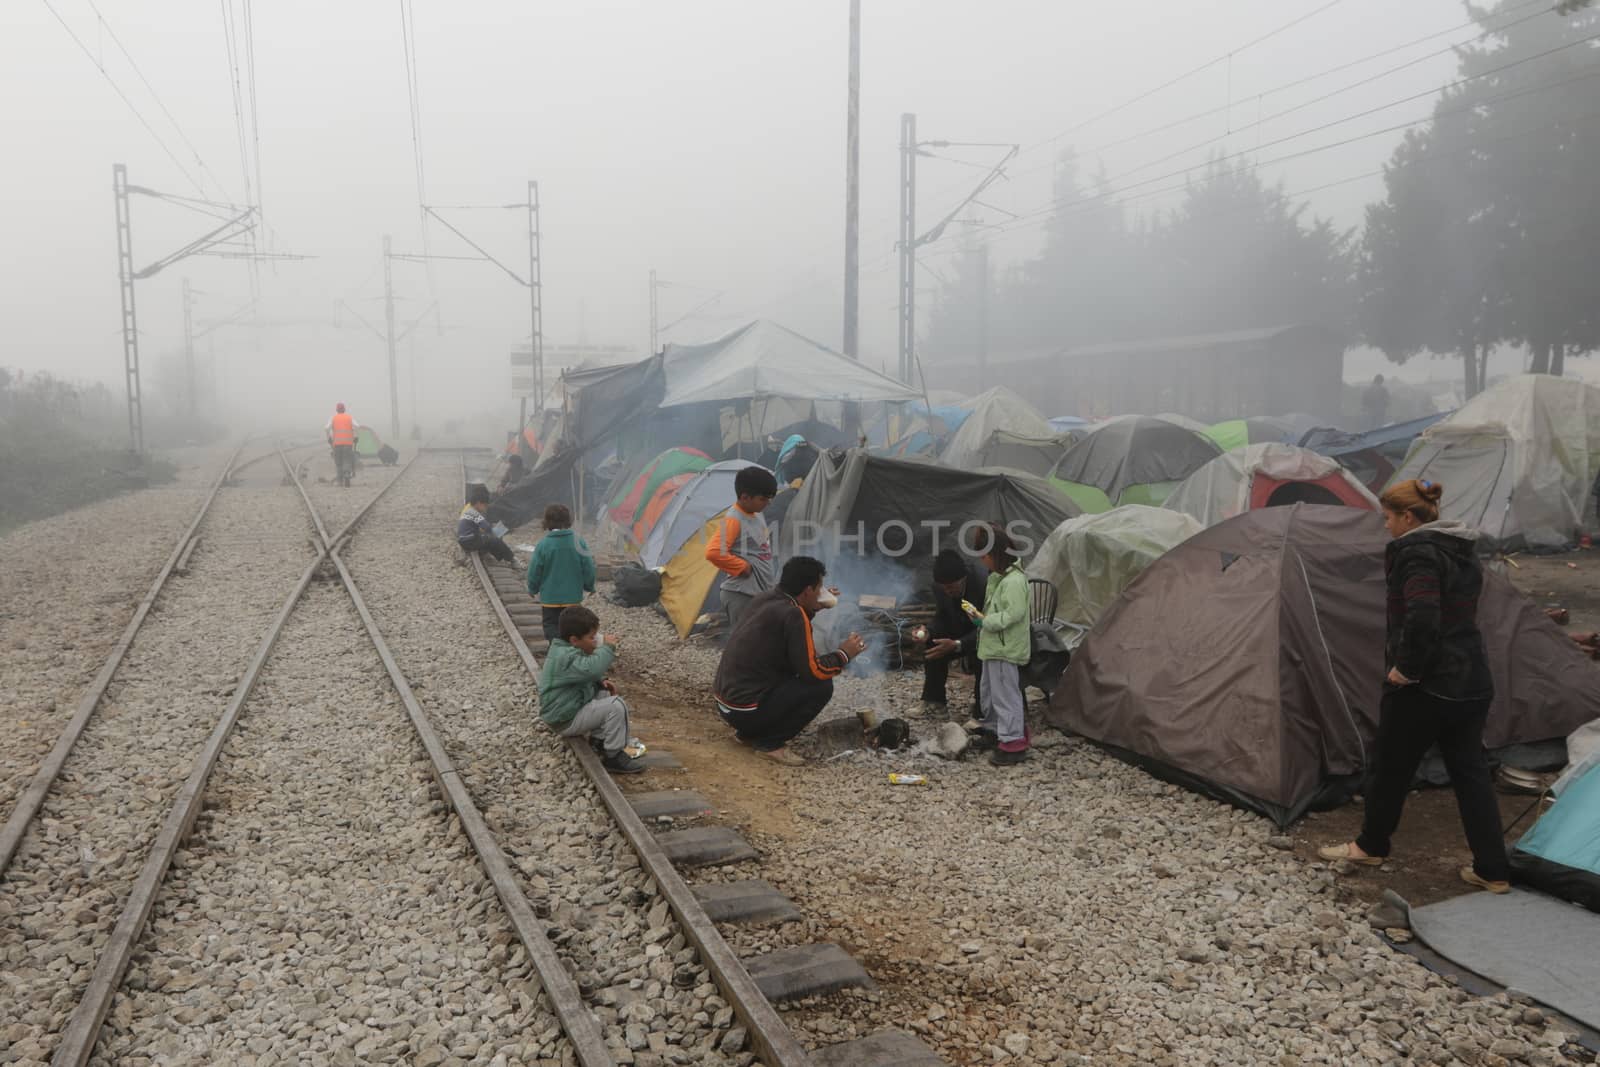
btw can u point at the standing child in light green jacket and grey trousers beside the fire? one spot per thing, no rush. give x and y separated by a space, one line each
1004 647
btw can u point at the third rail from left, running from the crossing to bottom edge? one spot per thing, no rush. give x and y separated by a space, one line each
577 1021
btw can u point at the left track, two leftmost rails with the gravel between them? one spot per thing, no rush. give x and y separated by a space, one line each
87 844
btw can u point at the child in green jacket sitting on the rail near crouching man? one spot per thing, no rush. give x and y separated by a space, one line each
577 698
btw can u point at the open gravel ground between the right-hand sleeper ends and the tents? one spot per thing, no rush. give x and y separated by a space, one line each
1071 911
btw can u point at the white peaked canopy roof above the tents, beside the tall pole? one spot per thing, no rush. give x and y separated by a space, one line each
764 361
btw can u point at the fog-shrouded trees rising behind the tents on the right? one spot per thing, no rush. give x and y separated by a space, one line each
1489 233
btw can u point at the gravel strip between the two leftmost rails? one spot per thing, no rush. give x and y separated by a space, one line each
66 885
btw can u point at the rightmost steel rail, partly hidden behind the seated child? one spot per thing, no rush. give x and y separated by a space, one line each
770 1037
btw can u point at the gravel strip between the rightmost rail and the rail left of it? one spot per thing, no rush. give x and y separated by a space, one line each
652 996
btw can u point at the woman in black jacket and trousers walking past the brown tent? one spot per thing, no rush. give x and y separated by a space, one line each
1438 689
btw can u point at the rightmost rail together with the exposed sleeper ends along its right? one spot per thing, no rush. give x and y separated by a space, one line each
753 988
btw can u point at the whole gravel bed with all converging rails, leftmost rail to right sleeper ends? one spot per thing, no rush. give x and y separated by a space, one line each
553 941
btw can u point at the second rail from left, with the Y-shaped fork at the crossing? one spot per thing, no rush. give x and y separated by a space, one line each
84 1026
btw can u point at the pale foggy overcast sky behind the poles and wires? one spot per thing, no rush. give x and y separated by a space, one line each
700 138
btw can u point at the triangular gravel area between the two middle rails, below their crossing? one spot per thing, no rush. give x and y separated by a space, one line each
327 908
